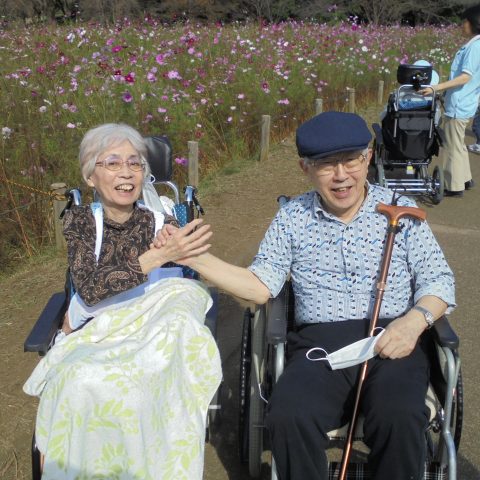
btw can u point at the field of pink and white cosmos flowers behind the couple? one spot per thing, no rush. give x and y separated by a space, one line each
209 83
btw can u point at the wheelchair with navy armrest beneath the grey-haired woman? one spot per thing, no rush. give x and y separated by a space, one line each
50 320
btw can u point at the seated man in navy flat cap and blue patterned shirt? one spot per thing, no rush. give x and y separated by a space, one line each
330 240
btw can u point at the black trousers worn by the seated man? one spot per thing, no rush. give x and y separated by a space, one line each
310 400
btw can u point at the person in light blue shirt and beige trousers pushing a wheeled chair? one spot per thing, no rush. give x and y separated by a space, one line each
461 101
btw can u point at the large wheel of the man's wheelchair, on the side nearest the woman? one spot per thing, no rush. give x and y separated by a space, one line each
257 405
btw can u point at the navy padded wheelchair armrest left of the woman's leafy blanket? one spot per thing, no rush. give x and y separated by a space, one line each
48 322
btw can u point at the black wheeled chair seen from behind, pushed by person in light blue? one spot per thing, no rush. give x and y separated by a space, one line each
409 138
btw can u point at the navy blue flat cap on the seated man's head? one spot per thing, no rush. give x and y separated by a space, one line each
332 132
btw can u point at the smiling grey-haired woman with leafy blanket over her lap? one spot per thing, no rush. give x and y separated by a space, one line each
126 395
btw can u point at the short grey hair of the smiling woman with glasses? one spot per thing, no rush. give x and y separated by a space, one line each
97 140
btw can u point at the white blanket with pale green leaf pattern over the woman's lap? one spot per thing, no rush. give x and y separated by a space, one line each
126 397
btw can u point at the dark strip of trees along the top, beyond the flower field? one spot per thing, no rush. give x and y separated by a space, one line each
371 11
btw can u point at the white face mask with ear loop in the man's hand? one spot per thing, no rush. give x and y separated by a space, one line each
350 355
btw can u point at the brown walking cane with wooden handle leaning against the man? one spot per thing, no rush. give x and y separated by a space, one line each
394 213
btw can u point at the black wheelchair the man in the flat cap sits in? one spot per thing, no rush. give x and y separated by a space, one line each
262 360
